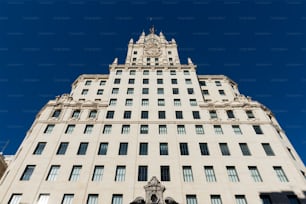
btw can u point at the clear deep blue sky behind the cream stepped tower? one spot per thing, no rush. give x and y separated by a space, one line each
46 44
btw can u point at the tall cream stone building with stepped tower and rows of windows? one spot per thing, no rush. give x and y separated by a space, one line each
154 122
